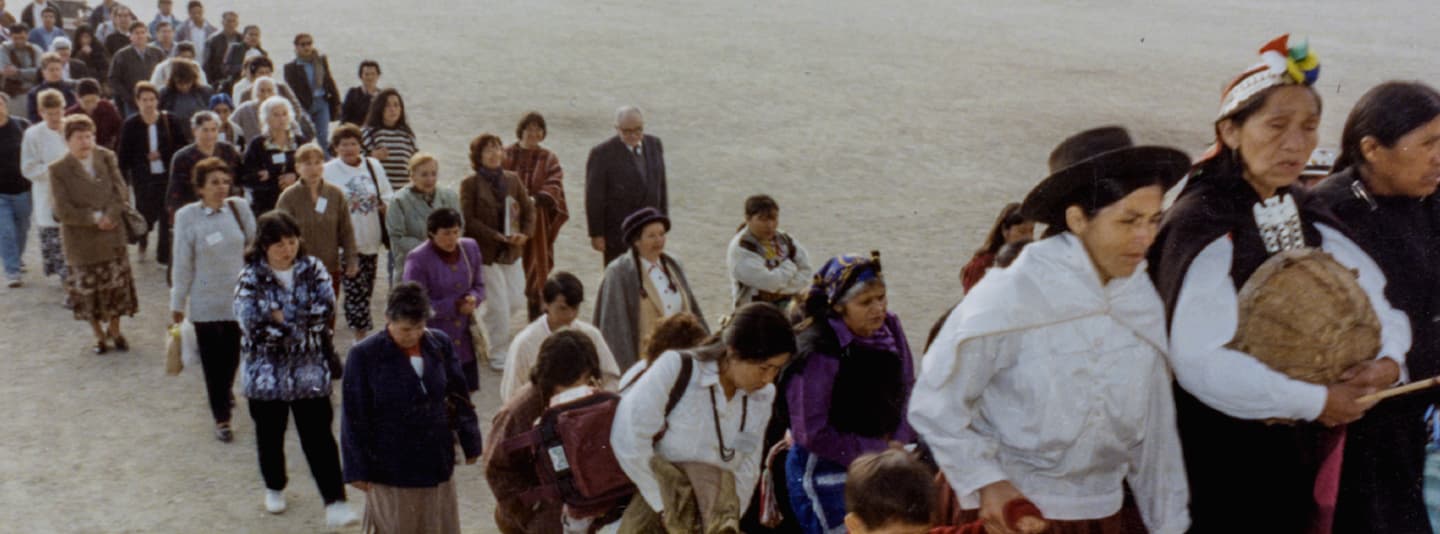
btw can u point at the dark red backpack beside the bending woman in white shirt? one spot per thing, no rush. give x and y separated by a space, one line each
571 450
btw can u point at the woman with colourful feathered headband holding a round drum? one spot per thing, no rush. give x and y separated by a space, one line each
1238 209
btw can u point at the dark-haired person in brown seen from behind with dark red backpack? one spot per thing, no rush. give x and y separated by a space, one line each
567 369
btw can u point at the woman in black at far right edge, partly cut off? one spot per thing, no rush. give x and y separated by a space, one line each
1383 191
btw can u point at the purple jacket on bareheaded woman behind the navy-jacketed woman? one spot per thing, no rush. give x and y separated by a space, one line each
449 284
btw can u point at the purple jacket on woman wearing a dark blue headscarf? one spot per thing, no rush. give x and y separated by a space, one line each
810 392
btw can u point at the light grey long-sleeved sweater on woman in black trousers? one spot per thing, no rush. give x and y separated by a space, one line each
210 250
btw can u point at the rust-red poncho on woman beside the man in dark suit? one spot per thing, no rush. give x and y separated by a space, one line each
541 172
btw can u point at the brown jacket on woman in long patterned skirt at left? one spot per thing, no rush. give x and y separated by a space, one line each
78 196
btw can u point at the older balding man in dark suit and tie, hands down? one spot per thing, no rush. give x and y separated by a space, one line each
623 175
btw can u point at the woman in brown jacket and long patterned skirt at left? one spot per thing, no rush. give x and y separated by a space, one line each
90 199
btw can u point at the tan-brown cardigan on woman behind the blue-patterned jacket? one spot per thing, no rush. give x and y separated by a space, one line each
322 234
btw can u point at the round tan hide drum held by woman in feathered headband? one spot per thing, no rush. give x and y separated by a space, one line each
1305 314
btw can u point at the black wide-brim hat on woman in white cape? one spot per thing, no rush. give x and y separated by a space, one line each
1081 162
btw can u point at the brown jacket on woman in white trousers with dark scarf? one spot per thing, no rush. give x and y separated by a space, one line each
485 217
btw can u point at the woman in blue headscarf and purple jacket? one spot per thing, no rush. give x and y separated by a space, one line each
847 397
